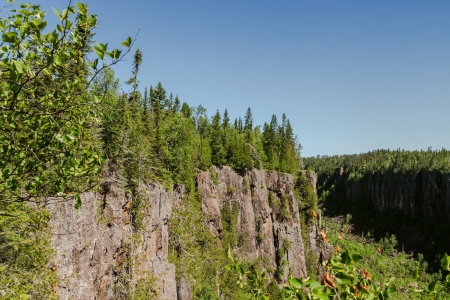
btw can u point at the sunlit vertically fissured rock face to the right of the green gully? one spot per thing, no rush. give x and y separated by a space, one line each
268 215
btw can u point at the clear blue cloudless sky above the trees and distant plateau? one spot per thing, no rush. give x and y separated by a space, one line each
352 76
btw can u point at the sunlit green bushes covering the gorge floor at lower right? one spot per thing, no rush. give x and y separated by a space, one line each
358 270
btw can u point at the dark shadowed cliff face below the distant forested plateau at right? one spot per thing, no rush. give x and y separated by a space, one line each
417 195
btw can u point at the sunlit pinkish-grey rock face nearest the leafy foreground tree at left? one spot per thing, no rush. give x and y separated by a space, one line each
97 248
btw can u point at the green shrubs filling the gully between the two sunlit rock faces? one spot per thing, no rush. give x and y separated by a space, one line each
197 253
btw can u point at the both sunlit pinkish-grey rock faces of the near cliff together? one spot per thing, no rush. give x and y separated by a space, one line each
99 252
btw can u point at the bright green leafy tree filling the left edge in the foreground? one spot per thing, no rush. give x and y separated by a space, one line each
47 144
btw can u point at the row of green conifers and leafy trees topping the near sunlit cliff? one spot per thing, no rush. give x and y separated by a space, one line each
155 136
